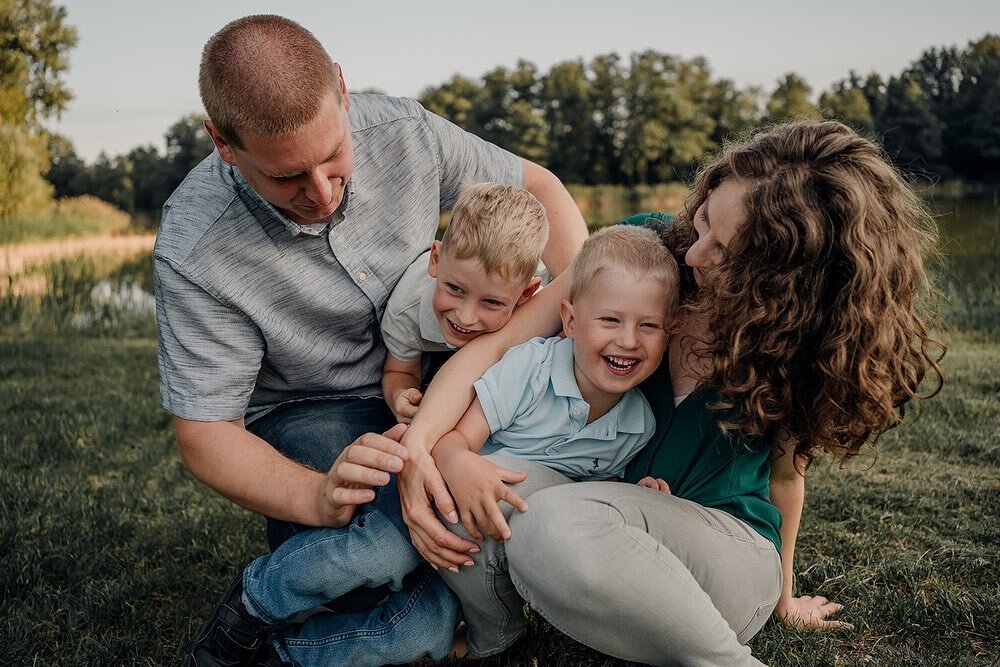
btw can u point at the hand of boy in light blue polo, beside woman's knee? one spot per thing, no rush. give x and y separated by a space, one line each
478 486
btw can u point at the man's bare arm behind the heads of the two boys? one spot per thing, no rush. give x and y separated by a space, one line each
567 229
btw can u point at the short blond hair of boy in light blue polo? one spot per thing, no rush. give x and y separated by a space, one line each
637 250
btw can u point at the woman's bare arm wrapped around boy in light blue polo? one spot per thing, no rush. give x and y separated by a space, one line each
443 404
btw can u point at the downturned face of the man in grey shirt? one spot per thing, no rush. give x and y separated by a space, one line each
303 174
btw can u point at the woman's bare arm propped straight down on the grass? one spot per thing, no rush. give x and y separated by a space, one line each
788 491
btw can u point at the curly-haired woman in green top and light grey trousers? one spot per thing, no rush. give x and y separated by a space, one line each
801 333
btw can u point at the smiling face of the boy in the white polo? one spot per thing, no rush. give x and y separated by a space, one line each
468 301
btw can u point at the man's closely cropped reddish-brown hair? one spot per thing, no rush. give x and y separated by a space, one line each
264 75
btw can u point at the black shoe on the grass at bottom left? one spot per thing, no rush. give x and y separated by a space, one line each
232 635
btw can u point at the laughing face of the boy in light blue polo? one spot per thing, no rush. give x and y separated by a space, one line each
618 331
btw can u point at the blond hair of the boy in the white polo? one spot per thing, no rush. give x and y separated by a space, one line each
502 226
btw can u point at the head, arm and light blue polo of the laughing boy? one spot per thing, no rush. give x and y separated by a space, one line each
571 403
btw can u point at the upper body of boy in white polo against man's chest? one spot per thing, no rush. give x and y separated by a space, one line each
467 284
